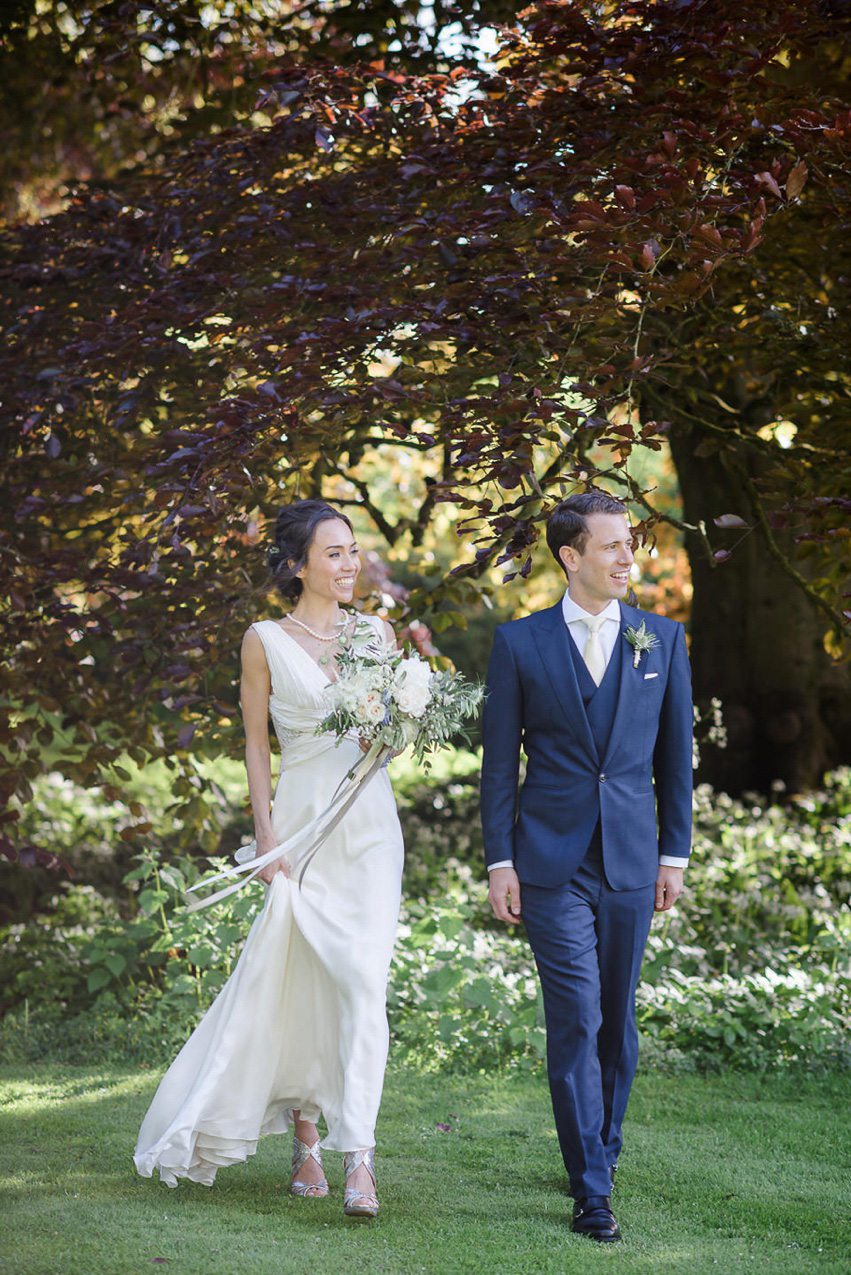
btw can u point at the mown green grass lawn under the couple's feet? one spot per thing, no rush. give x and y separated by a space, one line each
720 1175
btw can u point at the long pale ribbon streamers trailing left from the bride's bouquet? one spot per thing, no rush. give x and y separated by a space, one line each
308 841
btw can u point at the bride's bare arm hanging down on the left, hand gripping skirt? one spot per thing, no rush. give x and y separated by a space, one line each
255 701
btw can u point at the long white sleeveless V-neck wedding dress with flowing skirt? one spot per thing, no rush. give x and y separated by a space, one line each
302 1023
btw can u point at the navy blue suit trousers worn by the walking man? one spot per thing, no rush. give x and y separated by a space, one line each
589 942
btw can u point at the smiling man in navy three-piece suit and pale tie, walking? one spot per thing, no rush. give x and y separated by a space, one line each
602 833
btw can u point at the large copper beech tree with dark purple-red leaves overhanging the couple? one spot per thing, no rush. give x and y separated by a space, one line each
628 229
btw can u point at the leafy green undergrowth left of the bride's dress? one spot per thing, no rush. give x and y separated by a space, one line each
161 967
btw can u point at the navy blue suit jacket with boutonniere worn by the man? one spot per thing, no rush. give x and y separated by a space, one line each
640 790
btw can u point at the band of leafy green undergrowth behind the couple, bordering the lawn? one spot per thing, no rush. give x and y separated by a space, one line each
751 971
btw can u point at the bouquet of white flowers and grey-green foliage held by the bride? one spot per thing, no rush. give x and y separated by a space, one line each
396 701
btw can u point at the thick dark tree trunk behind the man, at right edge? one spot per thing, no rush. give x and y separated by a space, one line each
757 646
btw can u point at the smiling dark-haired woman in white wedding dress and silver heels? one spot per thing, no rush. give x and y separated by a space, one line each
299 1032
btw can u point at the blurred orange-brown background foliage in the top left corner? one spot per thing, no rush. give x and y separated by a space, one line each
90 89
